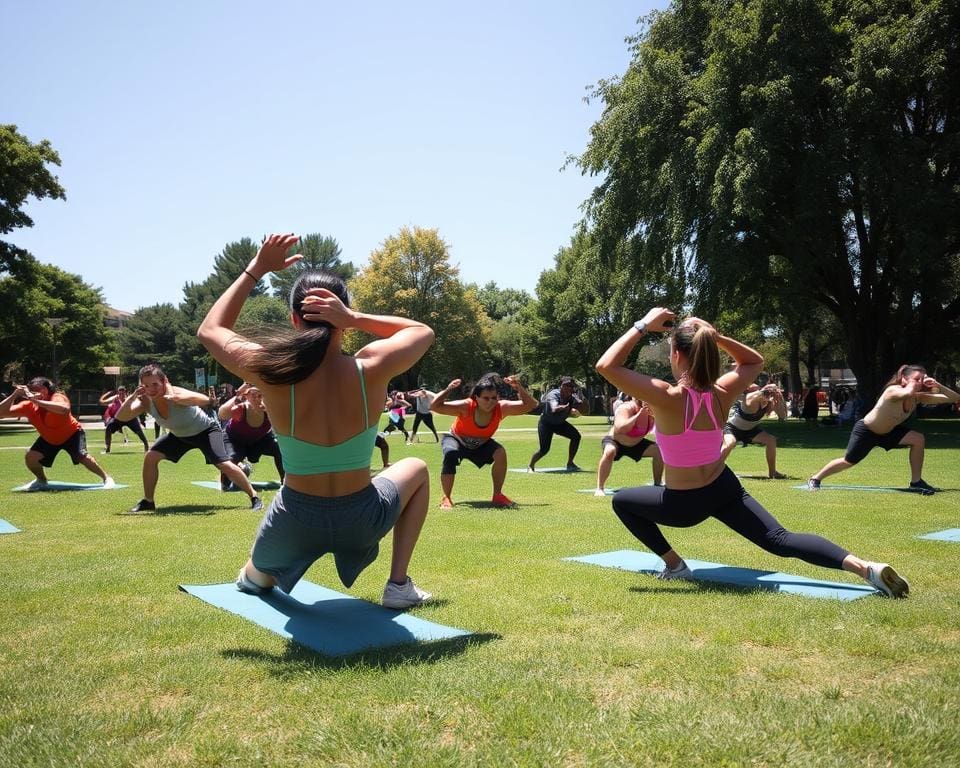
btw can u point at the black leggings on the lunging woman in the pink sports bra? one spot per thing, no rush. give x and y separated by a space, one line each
640 509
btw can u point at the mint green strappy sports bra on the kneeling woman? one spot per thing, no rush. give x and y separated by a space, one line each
304 458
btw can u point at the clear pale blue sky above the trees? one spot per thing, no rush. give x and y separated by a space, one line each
182 126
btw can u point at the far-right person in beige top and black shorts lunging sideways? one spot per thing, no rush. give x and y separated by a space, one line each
884 426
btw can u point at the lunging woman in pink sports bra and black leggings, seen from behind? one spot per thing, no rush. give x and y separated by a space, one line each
689 427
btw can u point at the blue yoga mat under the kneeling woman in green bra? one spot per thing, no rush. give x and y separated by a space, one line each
323 619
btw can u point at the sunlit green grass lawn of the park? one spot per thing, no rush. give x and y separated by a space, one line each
103 662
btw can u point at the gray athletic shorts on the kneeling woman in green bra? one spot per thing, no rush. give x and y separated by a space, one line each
299 529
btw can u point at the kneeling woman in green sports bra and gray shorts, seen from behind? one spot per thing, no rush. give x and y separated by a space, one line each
324 406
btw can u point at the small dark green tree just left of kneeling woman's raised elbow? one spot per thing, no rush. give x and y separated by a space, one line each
151 336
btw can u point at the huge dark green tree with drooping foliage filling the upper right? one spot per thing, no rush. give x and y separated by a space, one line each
823 135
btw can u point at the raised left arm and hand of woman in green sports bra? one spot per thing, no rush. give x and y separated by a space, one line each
216 331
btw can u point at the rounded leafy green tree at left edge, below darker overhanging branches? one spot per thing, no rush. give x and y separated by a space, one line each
40 291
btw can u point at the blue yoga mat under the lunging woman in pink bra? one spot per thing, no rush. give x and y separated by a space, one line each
646 562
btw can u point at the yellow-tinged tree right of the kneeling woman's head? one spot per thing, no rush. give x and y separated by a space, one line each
410 275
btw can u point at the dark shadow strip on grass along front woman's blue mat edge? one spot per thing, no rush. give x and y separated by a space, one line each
297 658
